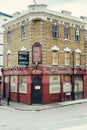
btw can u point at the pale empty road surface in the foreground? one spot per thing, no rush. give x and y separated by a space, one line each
63 118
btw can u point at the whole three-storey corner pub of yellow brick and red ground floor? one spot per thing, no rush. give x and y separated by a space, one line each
44 57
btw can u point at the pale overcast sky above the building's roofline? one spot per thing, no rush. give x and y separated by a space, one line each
77 7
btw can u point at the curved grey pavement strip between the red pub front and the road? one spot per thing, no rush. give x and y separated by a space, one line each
39 107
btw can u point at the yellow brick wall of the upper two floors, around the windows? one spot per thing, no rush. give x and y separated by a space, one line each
36 36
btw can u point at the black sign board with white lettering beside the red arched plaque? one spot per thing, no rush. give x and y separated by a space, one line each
23 57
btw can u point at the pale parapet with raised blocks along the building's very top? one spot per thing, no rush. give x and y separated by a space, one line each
42 8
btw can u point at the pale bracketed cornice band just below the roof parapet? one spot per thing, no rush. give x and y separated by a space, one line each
44 16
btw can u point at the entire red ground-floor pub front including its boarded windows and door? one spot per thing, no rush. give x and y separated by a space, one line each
42 85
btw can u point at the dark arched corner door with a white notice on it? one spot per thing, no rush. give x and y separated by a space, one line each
37 90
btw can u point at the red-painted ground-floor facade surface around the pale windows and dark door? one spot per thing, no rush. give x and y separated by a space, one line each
44 74
